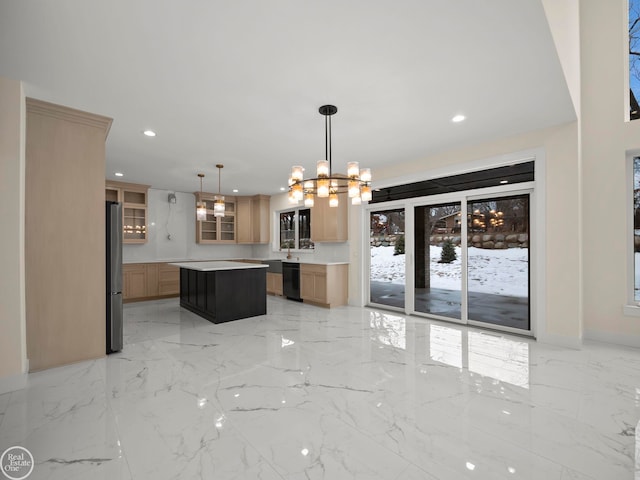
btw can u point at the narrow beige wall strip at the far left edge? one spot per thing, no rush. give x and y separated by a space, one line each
12 309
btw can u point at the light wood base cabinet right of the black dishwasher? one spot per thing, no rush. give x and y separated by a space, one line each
325 285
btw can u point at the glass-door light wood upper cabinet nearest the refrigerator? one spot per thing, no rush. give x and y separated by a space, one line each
133 197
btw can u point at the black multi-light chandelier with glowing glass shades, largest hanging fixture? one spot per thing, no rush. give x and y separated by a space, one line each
326 184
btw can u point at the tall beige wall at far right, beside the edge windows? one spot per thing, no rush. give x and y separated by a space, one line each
606 139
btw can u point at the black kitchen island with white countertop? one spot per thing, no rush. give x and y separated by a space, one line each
222 291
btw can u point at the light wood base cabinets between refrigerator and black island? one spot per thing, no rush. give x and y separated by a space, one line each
146 281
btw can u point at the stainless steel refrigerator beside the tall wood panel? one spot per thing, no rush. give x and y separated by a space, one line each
114 276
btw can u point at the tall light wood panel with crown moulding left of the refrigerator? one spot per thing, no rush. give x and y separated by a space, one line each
64 260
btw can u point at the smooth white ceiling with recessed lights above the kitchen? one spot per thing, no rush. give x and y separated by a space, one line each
239 82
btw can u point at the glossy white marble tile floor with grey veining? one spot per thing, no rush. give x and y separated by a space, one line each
348 393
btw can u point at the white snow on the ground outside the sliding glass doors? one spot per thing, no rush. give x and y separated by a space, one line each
503 272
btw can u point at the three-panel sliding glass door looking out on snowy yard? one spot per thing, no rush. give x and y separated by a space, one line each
467 260
